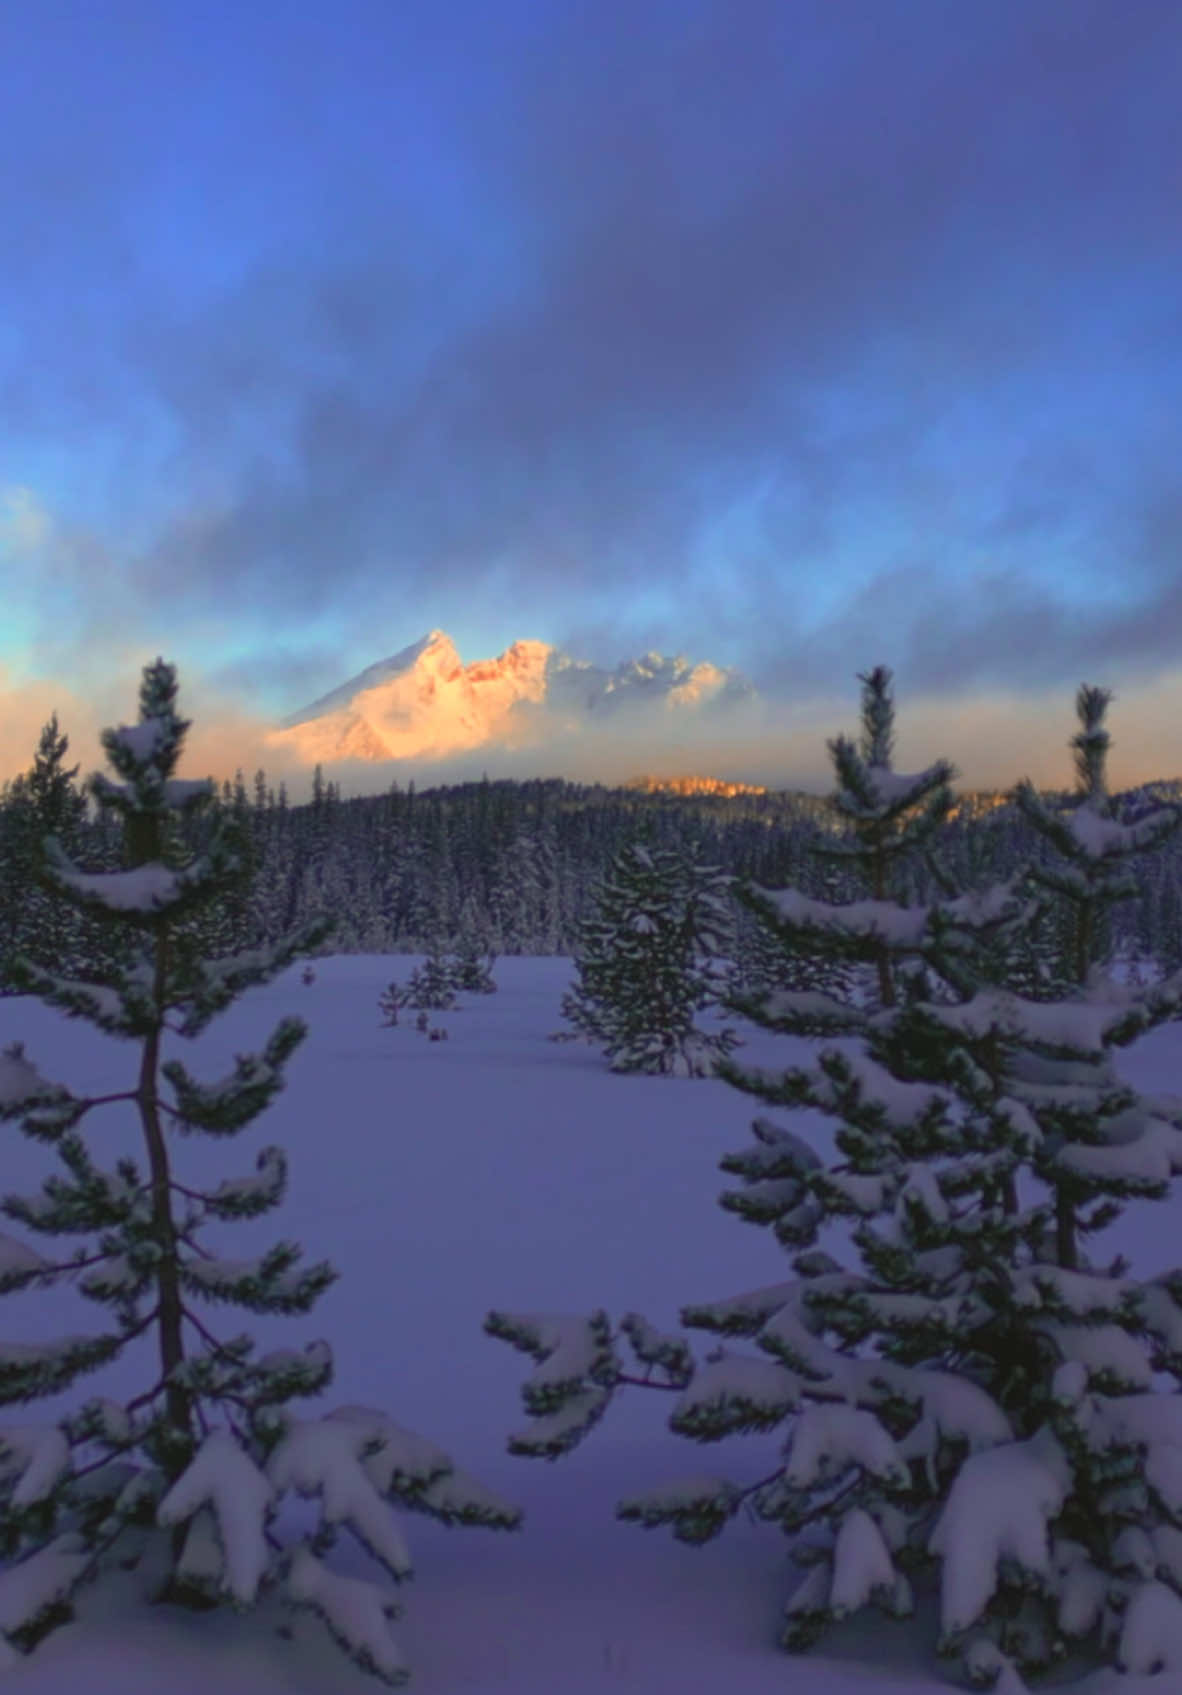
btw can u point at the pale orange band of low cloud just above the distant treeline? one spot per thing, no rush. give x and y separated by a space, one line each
993 736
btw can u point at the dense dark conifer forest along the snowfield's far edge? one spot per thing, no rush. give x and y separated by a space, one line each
513 862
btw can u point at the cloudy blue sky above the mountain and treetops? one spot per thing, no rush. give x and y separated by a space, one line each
795 335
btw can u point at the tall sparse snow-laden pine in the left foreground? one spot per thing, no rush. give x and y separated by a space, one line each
187 1474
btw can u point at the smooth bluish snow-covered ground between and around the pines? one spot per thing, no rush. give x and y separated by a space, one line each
443 1179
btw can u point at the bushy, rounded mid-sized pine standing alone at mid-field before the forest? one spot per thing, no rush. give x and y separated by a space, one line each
647 962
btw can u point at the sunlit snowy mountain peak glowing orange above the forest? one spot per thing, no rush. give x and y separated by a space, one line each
427 703
